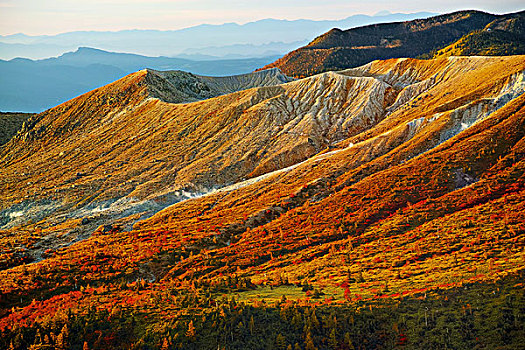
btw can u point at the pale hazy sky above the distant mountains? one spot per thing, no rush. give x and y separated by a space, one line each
55 16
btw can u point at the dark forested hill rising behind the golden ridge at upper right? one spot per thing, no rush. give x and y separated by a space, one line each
338 49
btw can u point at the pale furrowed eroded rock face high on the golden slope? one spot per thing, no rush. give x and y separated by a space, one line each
328 106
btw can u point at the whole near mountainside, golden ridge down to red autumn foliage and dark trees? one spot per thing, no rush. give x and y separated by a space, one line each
377 207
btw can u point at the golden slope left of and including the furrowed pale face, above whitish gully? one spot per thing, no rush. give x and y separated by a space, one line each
120 142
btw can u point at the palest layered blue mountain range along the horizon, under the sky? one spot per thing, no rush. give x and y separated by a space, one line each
261 38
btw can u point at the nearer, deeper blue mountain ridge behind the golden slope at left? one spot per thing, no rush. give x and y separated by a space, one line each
33 86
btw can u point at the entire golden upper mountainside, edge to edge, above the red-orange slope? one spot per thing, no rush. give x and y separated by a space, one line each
119 153
